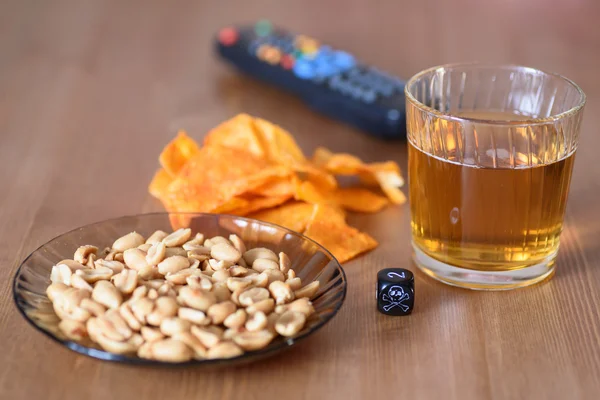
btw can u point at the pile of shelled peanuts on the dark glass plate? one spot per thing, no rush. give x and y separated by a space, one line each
177 297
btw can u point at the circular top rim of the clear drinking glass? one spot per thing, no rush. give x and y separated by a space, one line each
529 121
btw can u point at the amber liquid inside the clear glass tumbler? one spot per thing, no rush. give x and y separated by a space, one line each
505 217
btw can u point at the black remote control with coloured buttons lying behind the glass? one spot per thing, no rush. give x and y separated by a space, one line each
331 81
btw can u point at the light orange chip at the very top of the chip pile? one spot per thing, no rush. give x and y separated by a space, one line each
237 133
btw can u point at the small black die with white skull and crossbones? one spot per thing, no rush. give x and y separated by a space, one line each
395 291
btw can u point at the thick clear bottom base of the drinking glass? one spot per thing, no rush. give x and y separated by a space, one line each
483 280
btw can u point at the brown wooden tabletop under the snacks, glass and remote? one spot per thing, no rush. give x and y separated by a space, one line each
90 91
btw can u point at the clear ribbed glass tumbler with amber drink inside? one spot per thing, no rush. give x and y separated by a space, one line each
491 151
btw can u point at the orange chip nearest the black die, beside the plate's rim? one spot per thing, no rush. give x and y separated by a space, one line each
343 241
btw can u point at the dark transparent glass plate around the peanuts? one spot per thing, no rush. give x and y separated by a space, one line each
310 261
